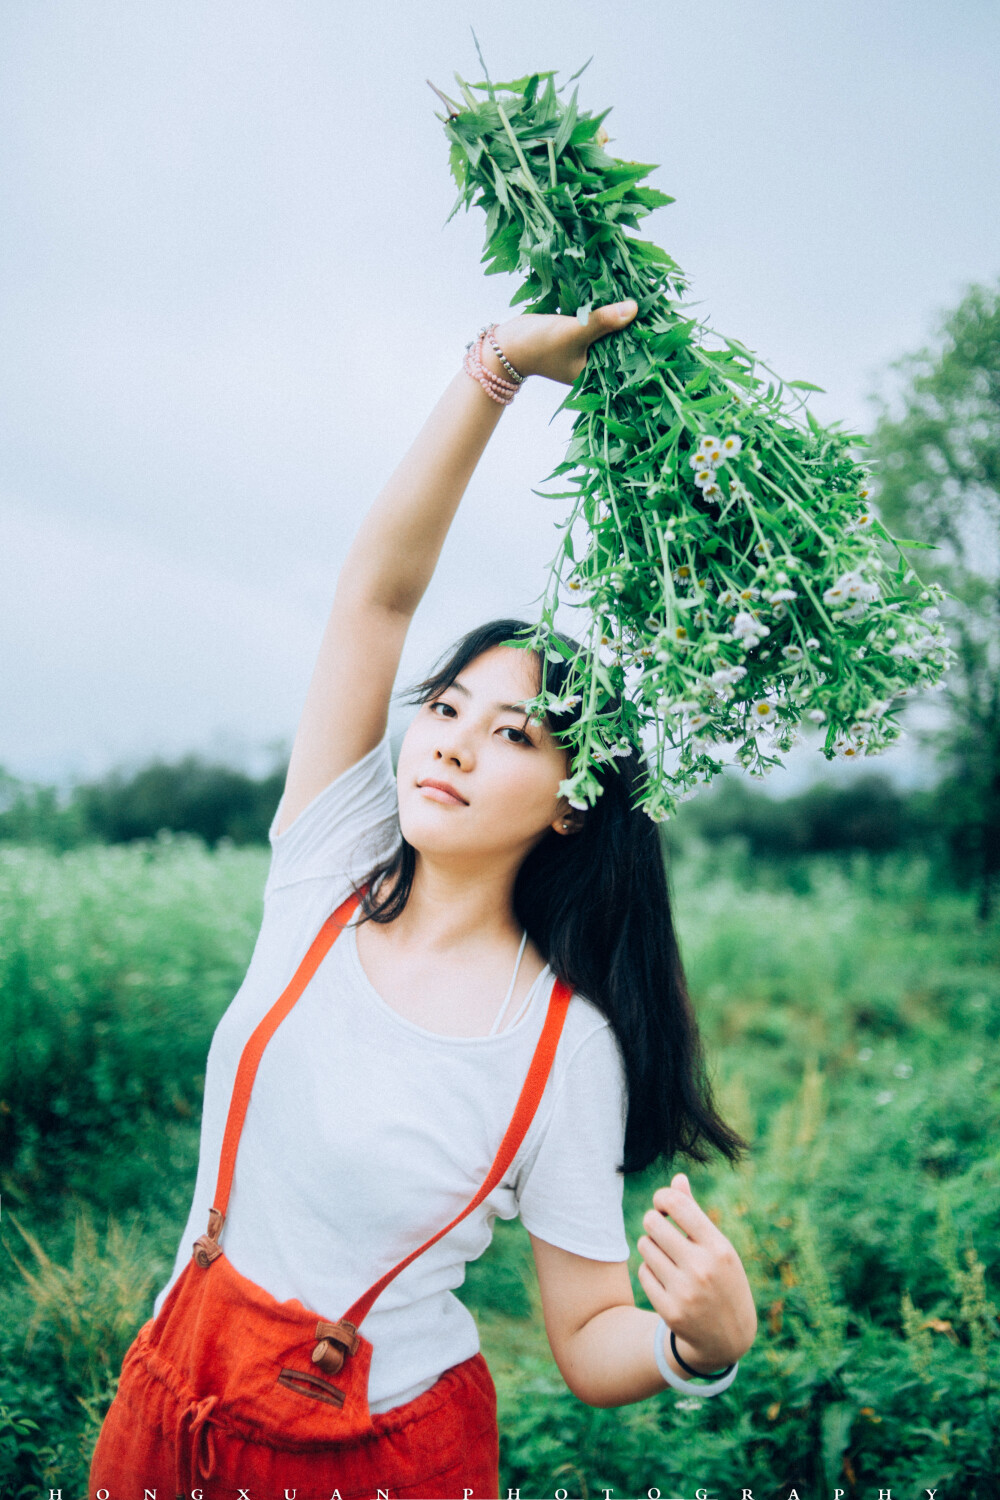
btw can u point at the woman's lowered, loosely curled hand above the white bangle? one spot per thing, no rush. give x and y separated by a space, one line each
695 1280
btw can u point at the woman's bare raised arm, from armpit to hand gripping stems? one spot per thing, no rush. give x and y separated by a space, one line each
397 550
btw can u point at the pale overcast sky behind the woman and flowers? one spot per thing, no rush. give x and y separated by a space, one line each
230 301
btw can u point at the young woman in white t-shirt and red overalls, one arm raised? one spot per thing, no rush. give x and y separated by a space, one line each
501 1028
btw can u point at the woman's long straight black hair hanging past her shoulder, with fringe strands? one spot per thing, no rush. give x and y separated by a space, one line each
599 908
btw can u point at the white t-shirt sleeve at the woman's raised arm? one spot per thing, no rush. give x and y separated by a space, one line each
347 829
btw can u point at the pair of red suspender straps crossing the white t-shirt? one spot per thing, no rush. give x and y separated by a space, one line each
208 1246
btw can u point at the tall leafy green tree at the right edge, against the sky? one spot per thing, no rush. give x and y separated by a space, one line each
936 454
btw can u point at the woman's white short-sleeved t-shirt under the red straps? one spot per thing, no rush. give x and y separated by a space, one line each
367 1133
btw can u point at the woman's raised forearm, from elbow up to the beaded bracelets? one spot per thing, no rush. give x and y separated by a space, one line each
397 548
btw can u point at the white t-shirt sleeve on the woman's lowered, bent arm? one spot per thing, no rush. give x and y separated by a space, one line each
570 1195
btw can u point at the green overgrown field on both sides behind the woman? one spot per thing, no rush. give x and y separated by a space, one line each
852 1013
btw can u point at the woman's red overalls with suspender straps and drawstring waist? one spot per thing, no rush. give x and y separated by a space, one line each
230 1390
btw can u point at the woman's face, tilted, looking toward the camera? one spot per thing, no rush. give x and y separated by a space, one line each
506 770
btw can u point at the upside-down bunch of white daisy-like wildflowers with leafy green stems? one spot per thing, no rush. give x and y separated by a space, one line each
734 577
